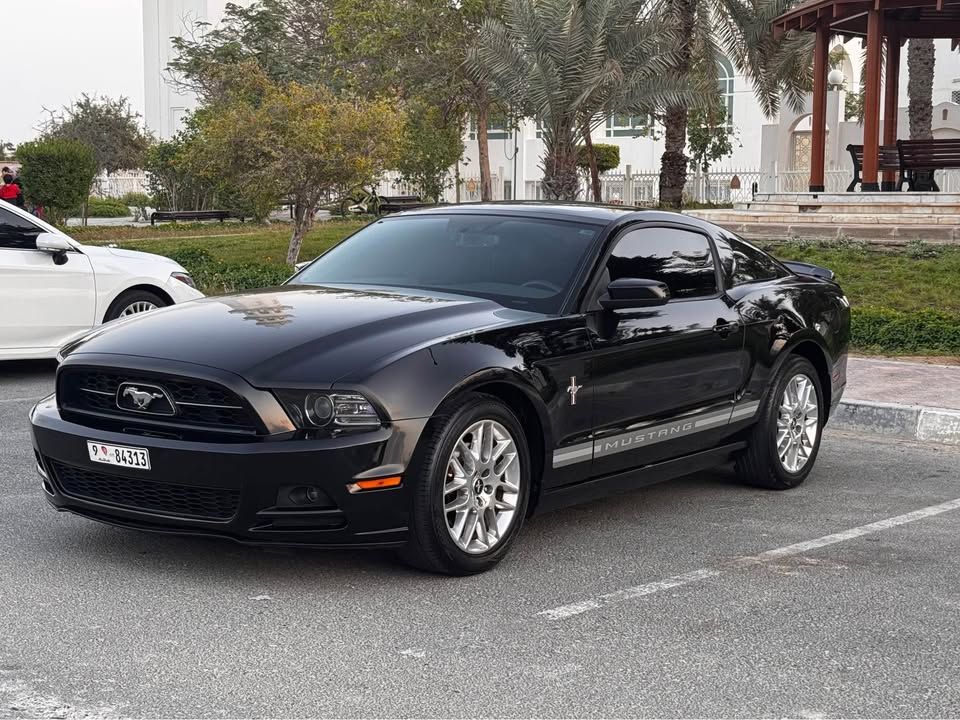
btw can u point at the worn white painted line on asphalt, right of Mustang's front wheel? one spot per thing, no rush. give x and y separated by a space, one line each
618 596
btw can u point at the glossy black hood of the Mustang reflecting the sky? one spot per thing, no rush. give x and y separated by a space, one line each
297 336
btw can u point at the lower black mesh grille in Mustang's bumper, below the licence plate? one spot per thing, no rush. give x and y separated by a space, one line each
146 495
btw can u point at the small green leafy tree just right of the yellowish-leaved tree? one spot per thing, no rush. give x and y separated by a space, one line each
429 146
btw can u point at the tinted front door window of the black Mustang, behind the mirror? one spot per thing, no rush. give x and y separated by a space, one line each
679 258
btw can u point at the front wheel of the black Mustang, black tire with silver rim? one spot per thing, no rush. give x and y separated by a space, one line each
435 485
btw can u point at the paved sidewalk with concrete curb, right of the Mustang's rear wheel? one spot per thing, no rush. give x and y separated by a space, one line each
895 398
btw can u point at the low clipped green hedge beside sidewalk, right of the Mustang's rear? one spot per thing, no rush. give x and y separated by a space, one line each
913 332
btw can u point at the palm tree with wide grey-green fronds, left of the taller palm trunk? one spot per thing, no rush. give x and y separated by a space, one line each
570 62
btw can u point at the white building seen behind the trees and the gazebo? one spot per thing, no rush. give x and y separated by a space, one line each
765 149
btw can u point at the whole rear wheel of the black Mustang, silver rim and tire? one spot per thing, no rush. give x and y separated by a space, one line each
785 441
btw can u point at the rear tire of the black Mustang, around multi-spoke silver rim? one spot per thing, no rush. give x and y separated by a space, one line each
761 463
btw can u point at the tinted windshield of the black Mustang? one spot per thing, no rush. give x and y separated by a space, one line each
521 263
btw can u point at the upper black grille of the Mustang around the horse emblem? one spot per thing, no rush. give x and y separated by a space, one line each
197 403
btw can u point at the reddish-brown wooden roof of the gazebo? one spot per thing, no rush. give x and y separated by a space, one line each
912 18
